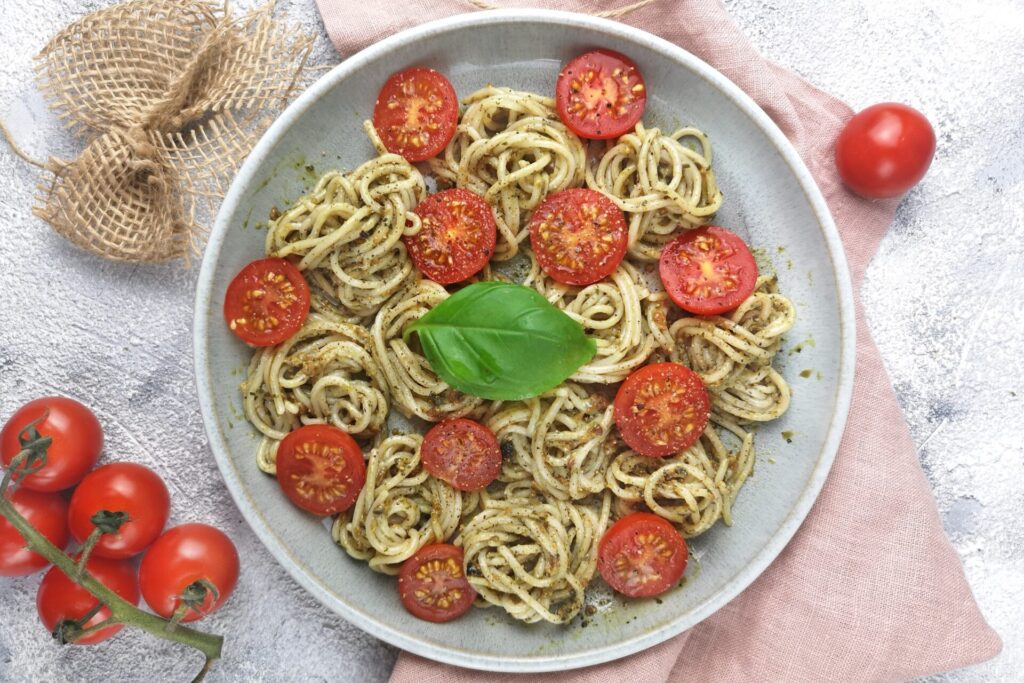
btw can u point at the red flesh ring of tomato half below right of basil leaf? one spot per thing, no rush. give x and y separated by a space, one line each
695 392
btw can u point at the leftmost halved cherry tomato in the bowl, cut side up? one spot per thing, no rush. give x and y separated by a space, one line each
267 303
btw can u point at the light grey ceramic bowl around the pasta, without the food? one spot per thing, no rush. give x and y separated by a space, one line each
771 200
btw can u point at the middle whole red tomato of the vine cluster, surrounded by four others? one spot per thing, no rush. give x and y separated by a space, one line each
121 488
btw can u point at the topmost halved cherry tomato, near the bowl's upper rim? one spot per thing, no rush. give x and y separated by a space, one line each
601 95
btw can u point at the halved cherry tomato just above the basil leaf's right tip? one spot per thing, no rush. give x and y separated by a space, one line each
579 236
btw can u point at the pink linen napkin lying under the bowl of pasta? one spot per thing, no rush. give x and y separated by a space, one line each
870 589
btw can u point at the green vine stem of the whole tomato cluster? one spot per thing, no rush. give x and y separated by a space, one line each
122 612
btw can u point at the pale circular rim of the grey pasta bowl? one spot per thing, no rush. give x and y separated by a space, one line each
371 623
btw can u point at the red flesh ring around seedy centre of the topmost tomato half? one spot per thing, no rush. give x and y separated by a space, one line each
607 61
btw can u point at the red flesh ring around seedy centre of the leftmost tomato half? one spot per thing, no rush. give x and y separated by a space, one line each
290 320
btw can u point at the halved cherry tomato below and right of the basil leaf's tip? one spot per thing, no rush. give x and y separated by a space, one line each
662 409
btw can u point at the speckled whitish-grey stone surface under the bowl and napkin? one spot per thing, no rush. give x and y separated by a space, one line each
943 296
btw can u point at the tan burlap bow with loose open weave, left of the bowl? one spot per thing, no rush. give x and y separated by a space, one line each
172 96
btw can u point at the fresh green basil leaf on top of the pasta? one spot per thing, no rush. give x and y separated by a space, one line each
501 341
